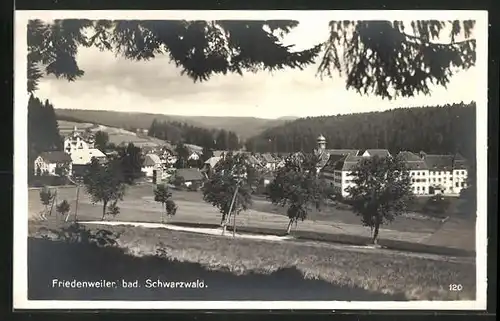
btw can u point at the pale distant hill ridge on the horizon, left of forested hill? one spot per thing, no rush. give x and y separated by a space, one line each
244 127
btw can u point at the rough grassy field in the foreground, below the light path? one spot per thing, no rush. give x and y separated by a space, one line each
375 270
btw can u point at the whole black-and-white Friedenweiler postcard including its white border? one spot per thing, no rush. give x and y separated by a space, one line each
250 160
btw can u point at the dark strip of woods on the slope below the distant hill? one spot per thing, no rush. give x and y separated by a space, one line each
177 132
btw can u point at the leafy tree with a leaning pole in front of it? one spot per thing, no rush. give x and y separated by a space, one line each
229 185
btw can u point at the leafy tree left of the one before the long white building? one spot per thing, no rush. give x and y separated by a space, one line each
297 186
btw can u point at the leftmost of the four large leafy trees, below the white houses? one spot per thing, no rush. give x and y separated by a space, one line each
104 183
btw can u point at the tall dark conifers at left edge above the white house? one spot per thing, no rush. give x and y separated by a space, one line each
43 130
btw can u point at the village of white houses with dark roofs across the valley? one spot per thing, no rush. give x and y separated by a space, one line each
430 174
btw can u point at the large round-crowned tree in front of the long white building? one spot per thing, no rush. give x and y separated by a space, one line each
381 191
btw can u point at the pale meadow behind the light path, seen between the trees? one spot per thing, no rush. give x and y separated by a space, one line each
138 205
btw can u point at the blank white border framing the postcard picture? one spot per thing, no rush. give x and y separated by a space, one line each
20 295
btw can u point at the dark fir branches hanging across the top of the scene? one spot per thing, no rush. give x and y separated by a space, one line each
376 56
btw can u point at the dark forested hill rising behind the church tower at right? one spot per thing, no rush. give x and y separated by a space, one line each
441 129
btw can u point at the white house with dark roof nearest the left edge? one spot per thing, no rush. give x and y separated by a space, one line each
55 163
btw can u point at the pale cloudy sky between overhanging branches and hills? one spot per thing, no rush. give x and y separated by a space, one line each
156 86
